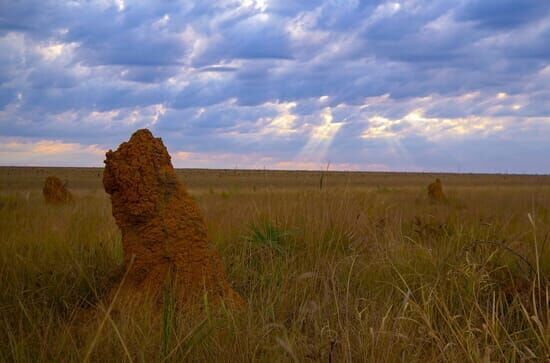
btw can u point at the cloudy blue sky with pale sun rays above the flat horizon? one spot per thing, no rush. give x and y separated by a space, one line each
404 85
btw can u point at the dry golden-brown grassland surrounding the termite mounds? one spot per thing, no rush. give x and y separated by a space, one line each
363 269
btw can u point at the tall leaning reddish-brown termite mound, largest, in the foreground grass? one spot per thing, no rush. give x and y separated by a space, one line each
164 236
